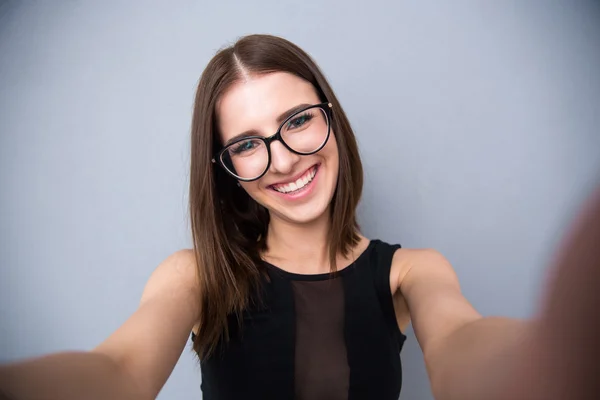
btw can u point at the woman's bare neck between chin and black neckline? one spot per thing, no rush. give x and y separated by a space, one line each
299 247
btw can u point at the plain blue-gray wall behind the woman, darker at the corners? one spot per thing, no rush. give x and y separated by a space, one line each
477 123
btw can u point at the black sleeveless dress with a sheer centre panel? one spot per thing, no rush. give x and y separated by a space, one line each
315 337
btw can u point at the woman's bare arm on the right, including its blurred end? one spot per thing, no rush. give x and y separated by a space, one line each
469 357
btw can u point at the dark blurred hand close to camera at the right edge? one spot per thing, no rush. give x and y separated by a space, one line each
564 359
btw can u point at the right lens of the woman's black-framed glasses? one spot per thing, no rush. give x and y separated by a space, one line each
306 131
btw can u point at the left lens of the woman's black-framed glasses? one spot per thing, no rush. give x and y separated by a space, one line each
246 159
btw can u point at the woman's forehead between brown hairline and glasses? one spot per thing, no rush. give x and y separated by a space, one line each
255 103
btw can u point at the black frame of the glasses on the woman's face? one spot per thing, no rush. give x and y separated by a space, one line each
326 107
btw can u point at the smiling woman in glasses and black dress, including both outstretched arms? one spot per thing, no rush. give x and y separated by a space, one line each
285 298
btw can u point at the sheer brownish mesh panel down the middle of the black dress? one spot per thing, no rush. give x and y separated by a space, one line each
321 362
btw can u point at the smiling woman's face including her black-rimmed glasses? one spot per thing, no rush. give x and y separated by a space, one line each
302 145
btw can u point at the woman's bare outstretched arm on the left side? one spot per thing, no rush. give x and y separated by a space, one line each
132 363
